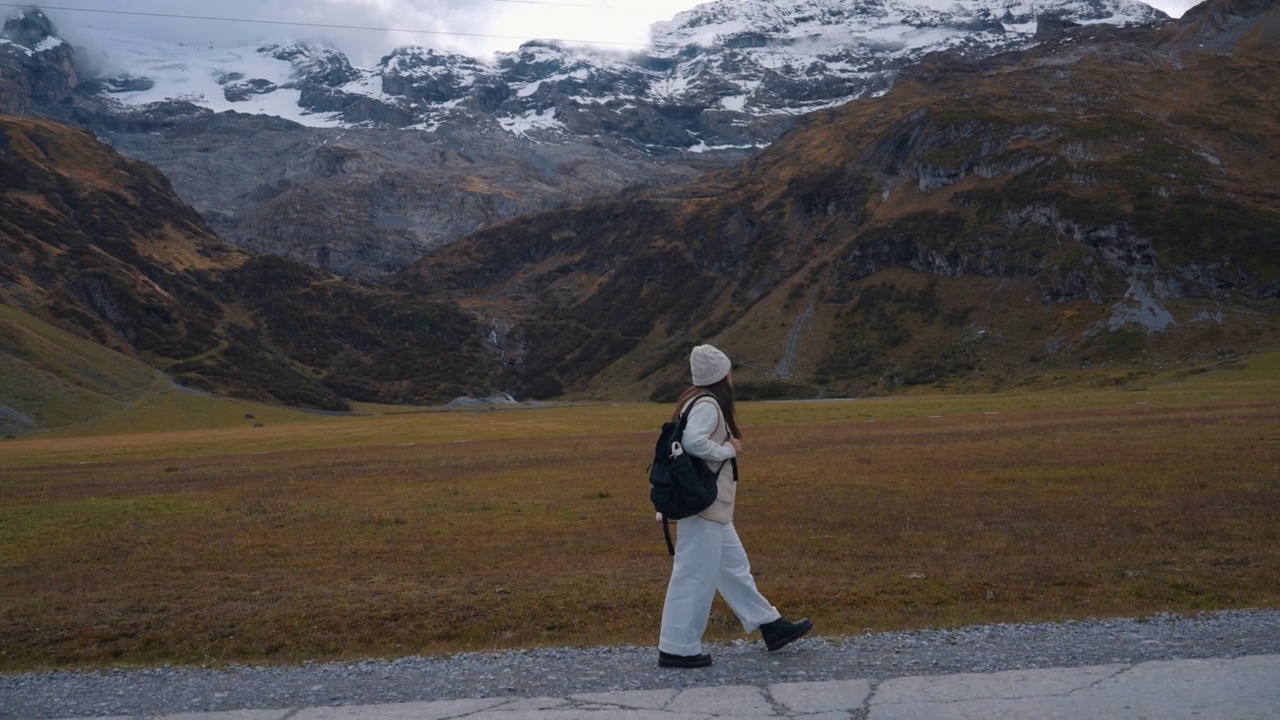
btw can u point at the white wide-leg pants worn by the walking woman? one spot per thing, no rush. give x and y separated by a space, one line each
710 558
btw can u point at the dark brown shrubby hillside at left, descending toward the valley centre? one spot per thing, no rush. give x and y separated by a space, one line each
100 247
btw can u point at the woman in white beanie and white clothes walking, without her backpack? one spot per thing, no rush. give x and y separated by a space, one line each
710 557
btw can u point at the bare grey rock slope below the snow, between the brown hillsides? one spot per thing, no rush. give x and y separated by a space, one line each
368 203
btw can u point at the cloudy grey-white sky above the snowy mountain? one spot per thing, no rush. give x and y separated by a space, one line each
451 25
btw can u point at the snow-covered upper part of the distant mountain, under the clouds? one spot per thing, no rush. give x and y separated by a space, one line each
724 75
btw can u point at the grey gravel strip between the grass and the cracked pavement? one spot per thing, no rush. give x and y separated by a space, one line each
565 672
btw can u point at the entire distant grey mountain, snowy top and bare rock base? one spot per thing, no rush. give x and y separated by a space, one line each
440 145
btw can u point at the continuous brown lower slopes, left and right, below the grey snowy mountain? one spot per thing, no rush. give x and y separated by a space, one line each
1104 202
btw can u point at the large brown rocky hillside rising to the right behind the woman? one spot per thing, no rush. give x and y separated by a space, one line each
1098 200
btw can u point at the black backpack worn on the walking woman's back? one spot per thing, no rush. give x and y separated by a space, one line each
680 485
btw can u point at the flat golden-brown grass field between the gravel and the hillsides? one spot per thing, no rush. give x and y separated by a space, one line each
435 532
